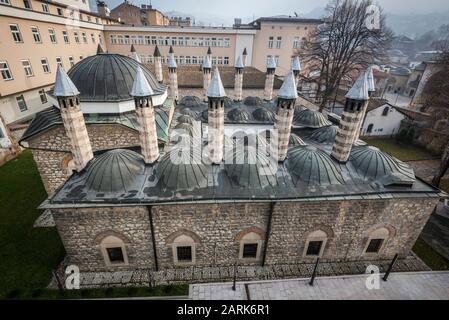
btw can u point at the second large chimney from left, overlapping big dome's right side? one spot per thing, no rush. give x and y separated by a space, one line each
142 93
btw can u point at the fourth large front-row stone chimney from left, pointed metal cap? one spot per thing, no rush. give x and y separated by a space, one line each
287 95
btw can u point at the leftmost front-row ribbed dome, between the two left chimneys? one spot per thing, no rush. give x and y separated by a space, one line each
114 170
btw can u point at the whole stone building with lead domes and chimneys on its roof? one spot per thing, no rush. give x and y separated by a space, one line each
188 209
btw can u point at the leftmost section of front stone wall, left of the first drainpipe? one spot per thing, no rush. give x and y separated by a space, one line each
81 231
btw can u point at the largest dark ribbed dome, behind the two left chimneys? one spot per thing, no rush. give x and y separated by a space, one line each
109 78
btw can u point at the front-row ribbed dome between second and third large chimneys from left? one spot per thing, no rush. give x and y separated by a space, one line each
182 169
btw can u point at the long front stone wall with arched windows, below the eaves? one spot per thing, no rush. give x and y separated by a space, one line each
217 229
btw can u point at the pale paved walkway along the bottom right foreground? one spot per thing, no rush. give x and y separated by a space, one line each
400 286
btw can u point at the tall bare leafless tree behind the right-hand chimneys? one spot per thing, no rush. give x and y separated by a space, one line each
345 43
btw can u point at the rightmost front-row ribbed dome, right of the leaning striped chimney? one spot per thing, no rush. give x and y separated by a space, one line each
371 163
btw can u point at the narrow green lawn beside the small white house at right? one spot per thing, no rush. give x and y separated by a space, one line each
400 150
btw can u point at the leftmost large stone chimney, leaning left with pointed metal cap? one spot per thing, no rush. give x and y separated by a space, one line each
73 119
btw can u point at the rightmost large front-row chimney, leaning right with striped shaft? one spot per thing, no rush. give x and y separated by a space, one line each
356 101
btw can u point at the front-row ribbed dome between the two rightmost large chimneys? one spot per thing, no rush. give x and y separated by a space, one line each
313 166
